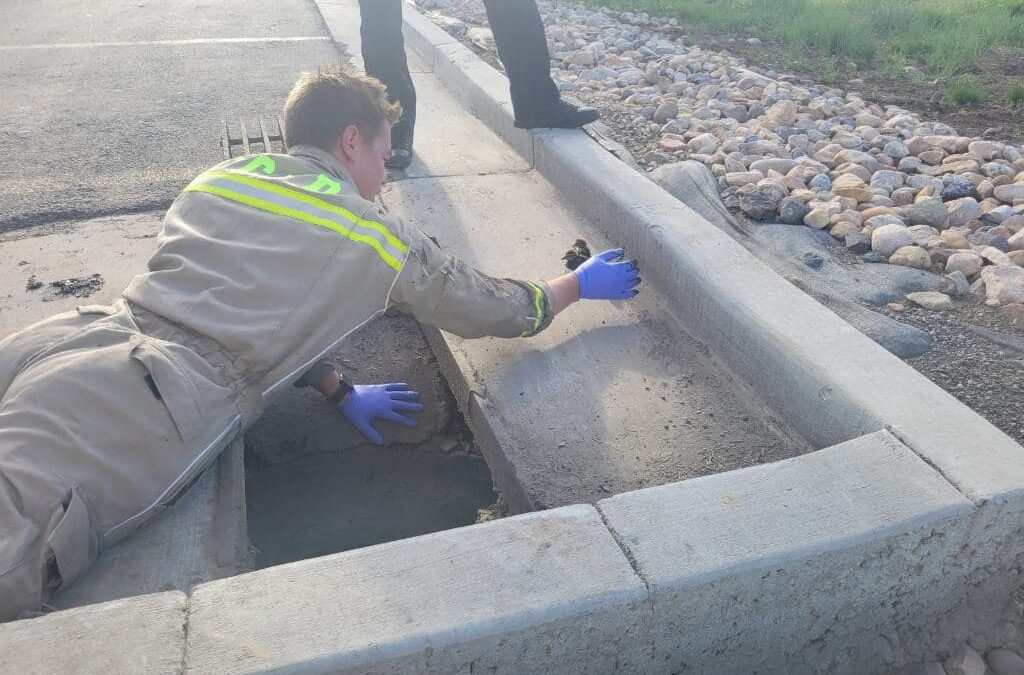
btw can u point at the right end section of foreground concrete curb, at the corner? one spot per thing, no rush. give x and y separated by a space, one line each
797 567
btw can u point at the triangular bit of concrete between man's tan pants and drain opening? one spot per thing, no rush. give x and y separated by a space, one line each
200 538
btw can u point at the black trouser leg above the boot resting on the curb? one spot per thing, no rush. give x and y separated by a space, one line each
524 51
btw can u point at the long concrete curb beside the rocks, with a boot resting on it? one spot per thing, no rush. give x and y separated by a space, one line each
815 369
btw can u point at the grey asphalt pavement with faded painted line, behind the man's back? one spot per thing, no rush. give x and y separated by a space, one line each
112 108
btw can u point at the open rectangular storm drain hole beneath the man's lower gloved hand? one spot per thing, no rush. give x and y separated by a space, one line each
316 487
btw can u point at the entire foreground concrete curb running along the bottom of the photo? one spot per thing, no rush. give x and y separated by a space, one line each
826 563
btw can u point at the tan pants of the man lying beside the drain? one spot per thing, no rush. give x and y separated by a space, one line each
101 428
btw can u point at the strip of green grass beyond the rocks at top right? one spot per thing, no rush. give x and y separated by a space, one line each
949 37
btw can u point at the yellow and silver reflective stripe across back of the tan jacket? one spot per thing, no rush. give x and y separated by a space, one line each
275 198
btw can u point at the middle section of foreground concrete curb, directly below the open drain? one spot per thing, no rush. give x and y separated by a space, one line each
536 594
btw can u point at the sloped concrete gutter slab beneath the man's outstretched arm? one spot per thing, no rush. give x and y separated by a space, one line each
612 398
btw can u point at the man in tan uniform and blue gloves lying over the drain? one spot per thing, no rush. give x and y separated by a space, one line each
264 266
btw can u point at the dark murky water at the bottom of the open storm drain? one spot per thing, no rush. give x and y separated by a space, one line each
335 502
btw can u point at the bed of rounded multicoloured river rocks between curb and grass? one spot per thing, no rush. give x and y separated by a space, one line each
789 150
